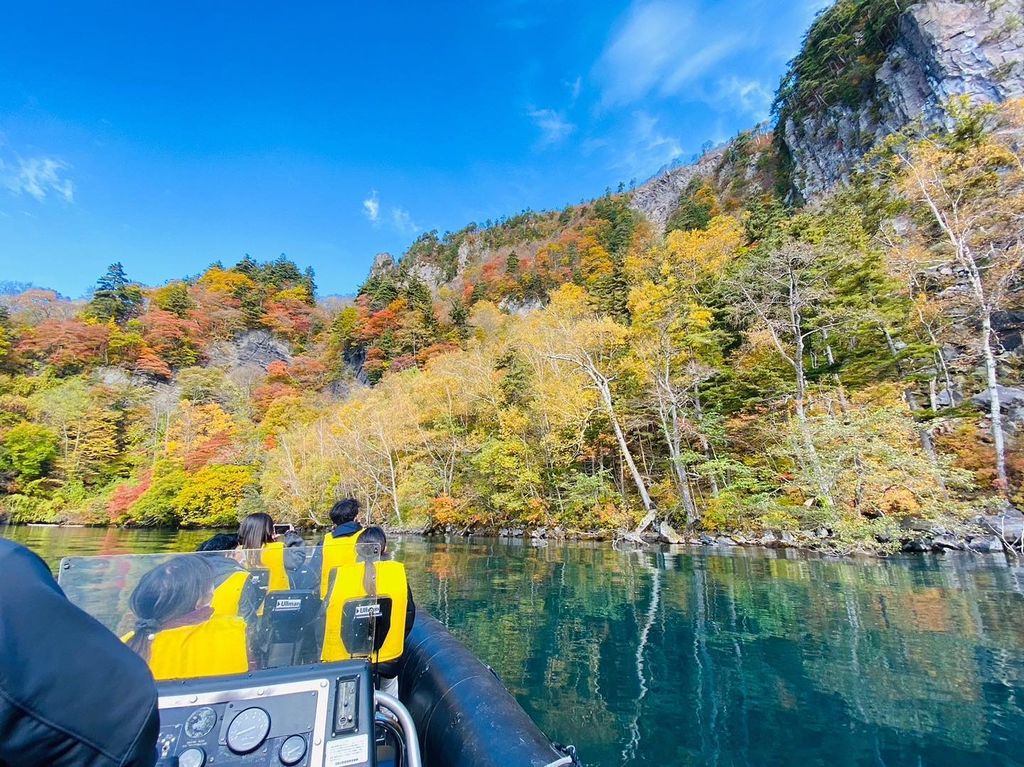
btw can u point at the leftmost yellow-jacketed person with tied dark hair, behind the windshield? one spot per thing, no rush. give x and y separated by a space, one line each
178 630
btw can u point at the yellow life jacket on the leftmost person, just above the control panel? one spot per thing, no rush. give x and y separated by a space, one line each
211 649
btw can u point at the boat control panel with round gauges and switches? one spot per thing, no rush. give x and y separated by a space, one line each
313 716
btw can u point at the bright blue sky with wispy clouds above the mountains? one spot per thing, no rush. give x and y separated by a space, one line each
172 136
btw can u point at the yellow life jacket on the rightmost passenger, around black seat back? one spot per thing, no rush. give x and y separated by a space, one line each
350 610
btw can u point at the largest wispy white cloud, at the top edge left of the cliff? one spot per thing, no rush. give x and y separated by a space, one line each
663 48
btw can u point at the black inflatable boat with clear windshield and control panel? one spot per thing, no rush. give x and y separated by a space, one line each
283 705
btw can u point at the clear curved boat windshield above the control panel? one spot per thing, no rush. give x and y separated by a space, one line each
216 614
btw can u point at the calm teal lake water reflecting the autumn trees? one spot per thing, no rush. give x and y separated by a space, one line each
697 657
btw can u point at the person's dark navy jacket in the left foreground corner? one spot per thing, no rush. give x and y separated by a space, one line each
71 695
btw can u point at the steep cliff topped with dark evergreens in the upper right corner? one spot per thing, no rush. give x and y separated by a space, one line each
870 68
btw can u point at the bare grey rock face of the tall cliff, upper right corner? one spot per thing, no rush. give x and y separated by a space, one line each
945 49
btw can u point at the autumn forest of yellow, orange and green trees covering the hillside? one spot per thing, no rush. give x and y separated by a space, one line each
760 367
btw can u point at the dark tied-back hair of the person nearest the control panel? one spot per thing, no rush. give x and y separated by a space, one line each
168 591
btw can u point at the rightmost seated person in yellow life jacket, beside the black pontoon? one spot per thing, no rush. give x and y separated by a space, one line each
374 577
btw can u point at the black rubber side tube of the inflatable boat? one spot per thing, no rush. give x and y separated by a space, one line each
463 714
